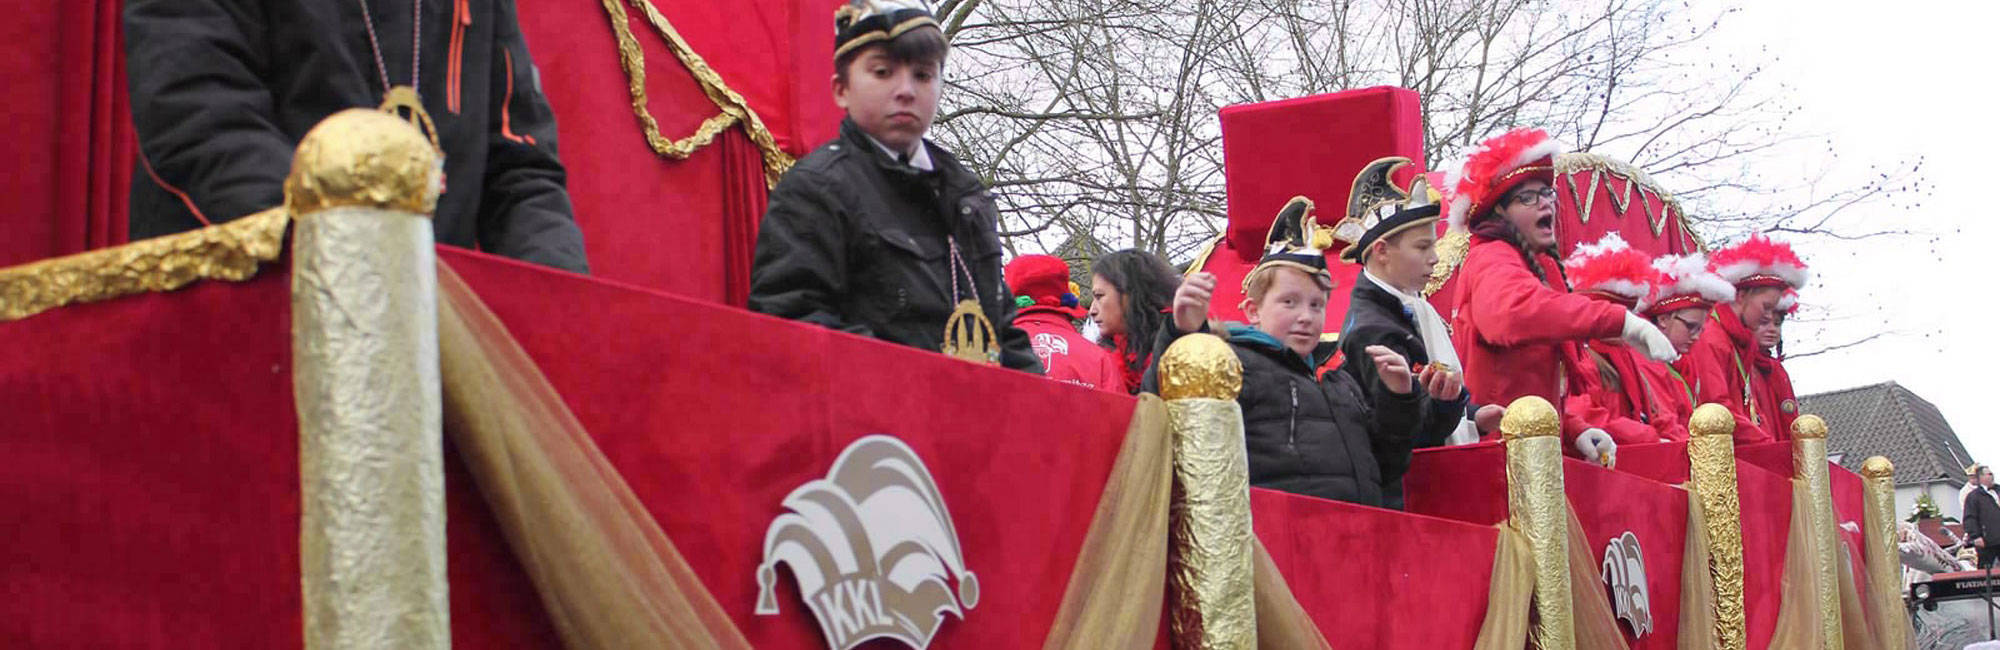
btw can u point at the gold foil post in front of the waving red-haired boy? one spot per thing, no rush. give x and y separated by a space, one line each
1211 541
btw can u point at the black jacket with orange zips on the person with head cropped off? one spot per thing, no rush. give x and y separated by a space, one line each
225 89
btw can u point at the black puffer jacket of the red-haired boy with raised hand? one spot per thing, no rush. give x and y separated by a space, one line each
1317 437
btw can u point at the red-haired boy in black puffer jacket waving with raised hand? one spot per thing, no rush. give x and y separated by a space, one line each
1309 427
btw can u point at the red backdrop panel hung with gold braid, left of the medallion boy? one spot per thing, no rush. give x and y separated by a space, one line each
685 227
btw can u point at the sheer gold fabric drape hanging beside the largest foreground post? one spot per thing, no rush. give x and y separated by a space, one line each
605 571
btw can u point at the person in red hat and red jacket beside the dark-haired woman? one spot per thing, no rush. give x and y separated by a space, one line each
1049 313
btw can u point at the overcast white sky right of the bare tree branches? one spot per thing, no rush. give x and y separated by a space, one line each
1895 81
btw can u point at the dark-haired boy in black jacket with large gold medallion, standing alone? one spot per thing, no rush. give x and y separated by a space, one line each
883 233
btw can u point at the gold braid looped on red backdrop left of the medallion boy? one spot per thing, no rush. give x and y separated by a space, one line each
735 111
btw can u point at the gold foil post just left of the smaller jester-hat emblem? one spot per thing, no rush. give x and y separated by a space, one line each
1539 509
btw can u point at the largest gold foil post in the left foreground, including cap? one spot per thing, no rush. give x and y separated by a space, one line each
365 379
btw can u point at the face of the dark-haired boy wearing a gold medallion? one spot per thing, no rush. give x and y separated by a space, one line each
887 99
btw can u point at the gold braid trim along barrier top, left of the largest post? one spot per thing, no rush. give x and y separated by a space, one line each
161 265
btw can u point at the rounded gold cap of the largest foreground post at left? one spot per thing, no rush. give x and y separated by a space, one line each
365 159
